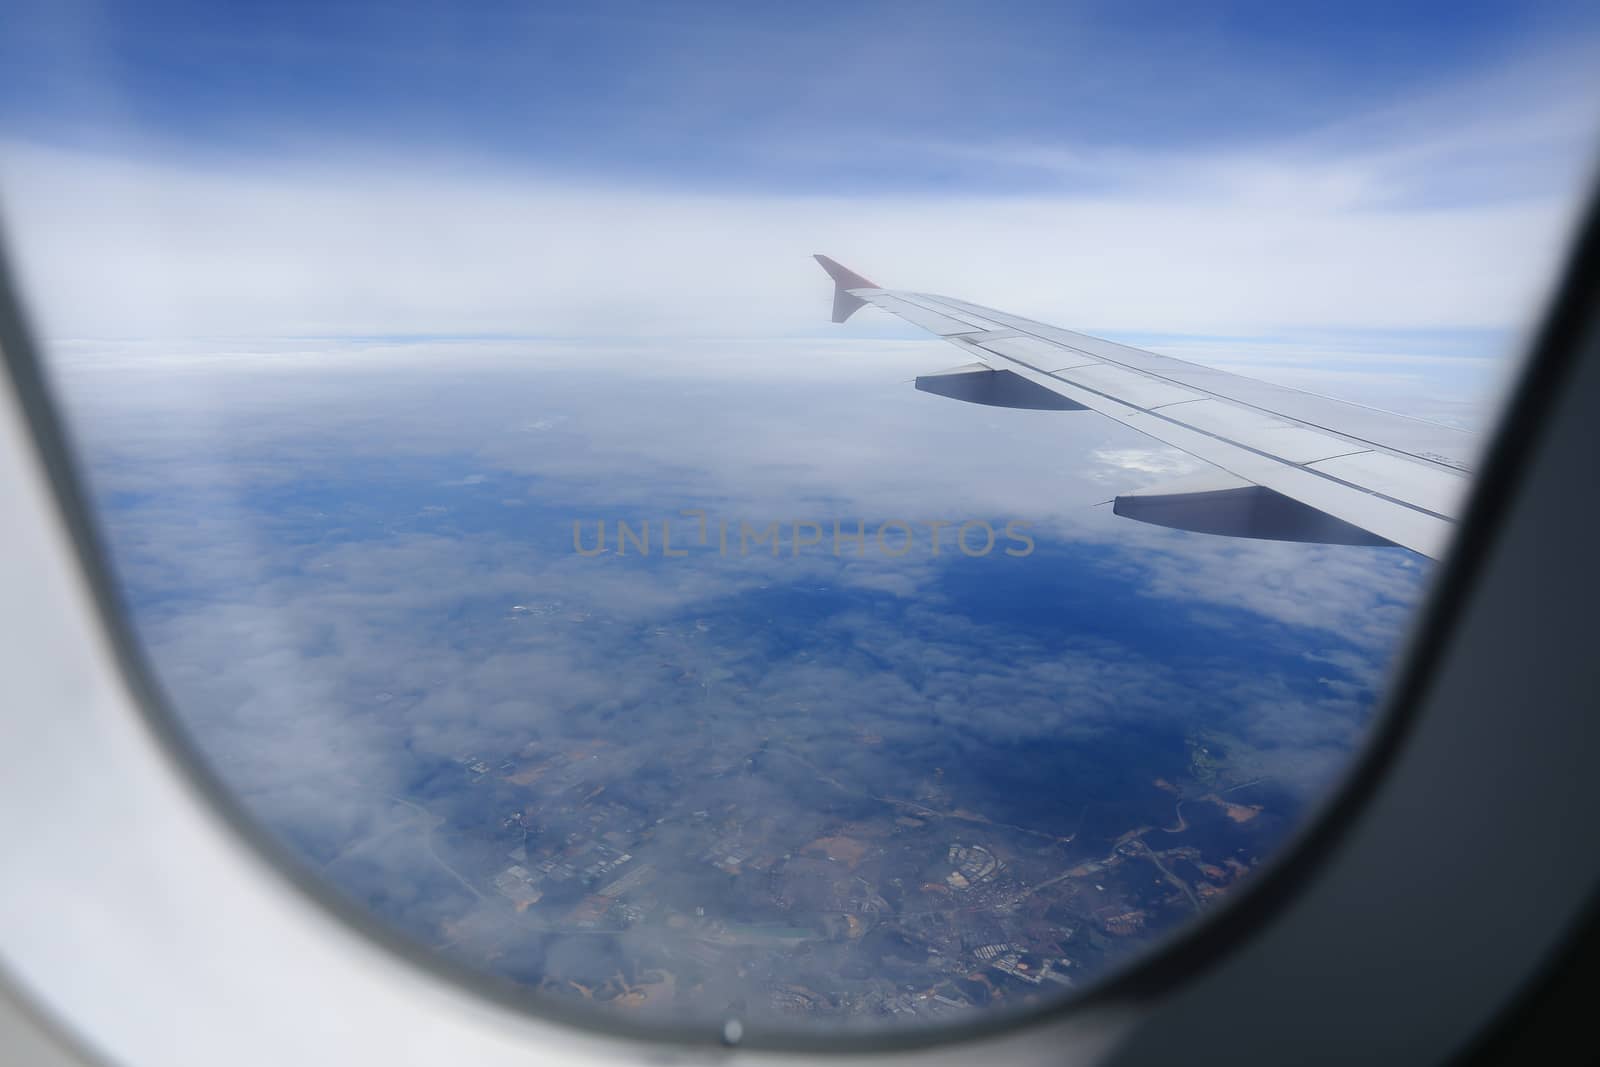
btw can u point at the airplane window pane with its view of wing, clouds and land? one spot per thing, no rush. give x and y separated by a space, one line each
519 543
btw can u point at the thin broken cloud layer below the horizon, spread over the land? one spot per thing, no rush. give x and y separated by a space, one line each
319 562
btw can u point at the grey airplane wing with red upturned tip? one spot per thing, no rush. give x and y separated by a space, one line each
1287 465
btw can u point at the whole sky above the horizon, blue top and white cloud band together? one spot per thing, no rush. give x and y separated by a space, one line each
1316 186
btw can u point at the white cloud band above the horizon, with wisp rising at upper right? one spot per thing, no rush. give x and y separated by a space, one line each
1359 223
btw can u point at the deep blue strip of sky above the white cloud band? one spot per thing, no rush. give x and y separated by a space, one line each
710 94
